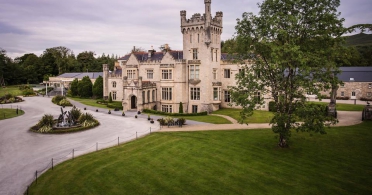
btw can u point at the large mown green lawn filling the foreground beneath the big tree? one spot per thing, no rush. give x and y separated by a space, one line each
222 162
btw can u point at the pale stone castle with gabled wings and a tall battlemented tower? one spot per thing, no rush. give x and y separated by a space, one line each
198 76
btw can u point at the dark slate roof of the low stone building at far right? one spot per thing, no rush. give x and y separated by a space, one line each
359 74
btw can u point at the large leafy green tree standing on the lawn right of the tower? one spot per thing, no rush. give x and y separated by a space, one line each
292 46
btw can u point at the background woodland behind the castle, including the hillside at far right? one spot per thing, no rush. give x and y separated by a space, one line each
31 68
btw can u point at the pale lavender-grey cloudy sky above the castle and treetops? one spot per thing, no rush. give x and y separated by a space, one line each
115 26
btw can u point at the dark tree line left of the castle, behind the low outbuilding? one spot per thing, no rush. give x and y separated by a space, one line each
31 68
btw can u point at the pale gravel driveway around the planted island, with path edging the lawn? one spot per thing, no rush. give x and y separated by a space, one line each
23 152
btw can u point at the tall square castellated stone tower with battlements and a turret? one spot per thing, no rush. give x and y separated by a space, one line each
202 52
